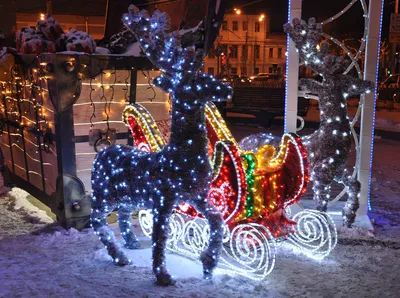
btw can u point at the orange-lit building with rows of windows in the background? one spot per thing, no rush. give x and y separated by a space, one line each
246 47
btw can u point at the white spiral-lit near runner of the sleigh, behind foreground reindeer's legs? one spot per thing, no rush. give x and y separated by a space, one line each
248 250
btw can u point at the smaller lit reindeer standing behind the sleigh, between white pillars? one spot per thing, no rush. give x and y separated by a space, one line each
329 147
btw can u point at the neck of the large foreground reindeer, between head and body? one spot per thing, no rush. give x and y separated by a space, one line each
188 127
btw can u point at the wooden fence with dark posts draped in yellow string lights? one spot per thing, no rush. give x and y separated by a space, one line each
55 112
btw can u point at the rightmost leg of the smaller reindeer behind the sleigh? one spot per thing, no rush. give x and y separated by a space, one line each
352 203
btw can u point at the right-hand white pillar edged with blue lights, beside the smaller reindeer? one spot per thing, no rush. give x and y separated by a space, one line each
368 110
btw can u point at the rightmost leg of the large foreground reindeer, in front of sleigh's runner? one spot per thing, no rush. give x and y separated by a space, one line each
209 257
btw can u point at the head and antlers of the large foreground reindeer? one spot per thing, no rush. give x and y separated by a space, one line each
178 56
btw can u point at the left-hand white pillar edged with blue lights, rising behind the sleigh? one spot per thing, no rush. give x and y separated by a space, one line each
292 72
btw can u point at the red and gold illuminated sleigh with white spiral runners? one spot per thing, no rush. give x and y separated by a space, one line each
252 191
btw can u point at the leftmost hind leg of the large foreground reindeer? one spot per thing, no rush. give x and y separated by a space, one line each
106 236
